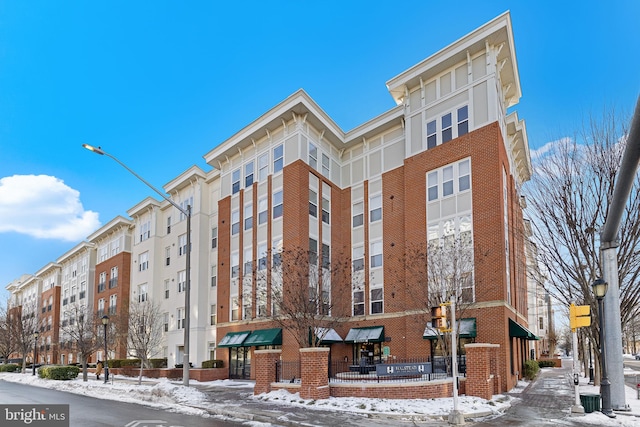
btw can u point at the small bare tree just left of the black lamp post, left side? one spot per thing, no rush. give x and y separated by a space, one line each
81 329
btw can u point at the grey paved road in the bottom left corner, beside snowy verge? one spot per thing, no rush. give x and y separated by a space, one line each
87 411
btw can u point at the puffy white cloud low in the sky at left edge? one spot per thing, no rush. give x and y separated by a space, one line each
43 206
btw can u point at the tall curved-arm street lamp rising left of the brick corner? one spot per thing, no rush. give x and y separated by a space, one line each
187 291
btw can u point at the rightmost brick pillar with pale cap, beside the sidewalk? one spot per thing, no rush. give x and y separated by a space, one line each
479 378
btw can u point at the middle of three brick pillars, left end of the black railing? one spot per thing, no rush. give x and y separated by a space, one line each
314 369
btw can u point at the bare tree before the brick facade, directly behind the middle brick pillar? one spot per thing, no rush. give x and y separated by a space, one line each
308 292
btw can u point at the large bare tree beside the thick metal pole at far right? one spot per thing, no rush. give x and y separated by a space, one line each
568 200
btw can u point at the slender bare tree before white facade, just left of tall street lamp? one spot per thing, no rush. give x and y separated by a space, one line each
144 332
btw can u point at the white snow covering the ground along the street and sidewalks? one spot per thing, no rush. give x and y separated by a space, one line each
190 400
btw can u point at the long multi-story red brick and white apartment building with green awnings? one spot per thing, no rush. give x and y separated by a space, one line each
446 163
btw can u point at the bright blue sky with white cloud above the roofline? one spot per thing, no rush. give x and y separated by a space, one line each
160 83
